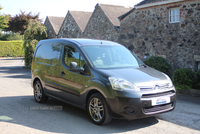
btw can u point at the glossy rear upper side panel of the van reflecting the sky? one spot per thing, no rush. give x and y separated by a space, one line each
48 53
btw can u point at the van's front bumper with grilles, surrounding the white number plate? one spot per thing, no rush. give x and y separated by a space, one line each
136 105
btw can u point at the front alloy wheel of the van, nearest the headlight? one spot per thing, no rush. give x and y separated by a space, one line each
98 110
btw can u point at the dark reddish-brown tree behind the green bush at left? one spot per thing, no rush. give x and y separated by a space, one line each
19 22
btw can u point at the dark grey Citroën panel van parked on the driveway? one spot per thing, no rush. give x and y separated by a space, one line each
102 77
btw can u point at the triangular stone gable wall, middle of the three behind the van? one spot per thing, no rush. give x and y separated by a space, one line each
69 28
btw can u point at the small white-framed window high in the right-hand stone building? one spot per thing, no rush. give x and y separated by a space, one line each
174 15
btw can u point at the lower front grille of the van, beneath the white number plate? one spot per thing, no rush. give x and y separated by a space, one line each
157 109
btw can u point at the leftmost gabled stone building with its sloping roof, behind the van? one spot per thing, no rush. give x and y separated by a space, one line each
53 25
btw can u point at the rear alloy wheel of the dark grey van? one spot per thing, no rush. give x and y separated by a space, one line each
39 93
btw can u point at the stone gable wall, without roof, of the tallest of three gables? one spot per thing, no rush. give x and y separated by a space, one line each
100 27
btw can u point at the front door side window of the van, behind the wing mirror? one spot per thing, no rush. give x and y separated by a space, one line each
72 55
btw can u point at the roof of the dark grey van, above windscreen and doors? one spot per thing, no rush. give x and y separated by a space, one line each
79 41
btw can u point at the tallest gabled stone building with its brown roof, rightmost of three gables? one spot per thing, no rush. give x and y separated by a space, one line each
104 23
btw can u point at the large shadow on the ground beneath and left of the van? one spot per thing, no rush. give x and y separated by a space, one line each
18 110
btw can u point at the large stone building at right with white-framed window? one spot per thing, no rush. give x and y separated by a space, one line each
167 28
